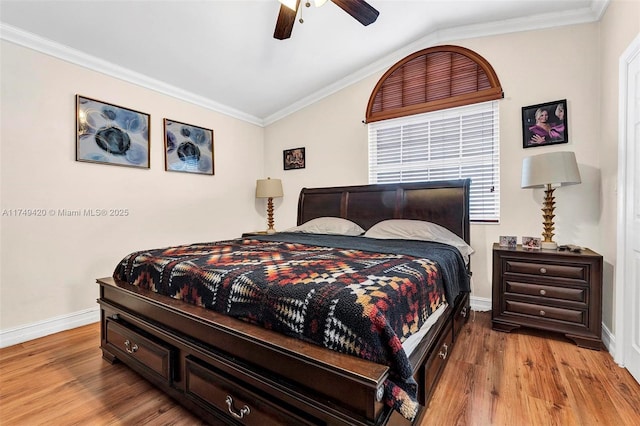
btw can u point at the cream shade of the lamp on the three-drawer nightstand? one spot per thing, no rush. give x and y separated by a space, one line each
553 168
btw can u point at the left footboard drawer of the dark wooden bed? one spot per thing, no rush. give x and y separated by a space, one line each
130 344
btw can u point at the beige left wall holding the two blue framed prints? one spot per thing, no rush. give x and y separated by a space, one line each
49 264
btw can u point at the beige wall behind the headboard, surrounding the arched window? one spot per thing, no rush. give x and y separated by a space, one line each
533 67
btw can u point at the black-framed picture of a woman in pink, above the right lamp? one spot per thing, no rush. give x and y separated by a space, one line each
545 124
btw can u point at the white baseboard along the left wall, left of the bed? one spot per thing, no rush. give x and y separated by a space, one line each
28 332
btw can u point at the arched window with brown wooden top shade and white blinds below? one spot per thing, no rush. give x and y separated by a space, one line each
434 115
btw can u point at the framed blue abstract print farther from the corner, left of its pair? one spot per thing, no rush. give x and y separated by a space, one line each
111 134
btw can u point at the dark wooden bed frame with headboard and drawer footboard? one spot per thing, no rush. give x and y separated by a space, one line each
227 371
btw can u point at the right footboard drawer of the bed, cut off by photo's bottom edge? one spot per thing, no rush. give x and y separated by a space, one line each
216 390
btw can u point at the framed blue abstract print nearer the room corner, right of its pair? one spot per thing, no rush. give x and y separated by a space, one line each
187 148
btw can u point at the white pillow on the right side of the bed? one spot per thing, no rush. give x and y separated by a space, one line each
405 229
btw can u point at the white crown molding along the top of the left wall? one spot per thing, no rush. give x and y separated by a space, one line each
76 57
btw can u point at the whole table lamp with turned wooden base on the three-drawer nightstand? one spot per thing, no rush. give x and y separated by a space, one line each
549 171
